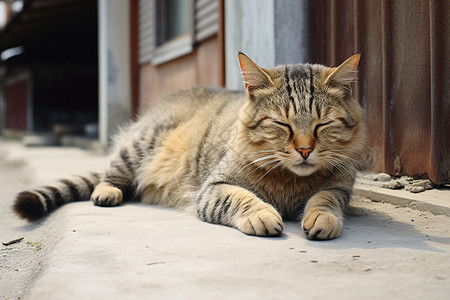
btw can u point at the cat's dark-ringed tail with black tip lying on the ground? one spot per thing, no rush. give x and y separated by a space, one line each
35 204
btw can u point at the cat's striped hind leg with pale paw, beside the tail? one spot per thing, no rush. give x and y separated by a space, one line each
109 192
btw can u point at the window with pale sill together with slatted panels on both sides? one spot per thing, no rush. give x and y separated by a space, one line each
169 28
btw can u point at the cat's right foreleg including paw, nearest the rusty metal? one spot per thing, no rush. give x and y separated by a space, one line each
324 214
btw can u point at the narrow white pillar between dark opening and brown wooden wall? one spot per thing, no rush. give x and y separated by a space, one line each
114 67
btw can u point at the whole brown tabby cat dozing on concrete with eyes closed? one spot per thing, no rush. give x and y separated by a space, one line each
290 143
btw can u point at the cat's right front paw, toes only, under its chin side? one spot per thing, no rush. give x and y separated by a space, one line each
321 225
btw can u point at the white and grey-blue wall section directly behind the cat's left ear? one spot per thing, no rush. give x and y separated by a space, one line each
270 32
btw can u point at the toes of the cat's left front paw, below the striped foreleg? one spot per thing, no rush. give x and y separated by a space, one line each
262 222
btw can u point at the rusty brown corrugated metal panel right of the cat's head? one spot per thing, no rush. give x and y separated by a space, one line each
404 77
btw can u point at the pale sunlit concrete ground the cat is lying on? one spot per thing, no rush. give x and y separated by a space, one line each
386 251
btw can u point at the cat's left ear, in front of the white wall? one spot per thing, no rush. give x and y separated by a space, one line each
254 76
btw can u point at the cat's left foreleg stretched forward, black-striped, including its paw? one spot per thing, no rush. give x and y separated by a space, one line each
231 205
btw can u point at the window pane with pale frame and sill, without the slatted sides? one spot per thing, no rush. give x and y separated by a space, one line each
174 34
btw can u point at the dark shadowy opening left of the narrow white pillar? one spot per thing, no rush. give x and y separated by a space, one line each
58 59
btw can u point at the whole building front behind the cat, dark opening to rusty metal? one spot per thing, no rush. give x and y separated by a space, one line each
149 48
